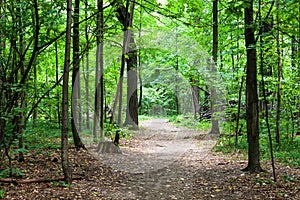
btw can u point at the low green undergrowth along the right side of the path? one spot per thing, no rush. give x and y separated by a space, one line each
287 153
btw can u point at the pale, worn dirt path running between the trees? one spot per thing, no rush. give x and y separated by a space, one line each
161 161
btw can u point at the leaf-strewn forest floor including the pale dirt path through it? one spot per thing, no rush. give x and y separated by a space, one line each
161 161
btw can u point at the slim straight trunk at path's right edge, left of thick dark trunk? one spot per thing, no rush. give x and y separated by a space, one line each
213 92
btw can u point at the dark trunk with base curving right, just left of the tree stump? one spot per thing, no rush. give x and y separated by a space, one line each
75 78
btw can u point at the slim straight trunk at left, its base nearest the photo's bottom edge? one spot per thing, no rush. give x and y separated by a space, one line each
64 136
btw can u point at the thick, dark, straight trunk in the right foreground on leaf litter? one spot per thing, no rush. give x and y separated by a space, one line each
251 93
